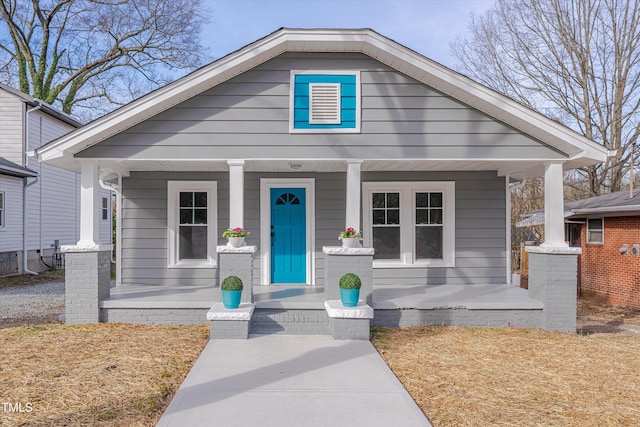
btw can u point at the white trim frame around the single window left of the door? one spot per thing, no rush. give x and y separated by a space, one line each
173 202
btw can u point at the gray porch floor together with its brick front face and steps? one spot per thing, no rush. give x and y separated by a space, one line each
288 307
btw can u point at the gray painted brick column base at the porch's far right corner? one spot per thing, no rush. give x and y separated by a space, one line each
553 279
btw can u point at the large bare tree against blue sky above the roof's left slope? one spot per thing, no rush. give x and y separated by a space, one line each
97 53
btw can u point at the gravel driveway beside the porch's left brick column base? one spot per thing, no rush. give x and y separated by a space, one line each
43 302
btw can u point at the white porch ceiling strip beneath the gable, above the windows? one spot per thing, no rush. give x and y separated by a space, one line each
515 169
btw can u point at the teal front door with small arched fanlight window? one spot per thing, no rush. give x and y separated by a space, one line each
288 235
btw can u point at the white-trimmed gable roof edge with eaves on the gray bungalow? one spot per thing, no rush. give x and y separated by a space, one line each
579 150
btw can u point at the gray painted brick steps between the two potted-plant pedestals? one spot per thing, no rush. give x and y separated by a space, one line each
290 321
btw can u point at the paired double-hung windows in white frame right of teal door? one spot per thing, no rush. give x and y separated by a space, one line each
410 224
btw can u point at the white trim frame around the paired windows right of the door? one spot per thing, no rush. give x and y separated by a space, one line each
407 216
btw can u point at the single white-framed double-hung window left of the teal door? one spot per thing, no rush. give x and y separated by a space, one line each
192 219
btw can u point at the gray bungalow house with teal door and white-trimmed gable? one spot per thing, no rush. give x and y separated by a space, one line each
295 137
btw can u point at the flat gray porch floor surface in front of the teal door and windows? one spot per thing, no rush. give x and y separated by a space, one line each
385 297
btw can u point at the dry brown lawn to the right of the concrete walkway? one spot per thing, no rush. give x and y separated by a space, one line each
516 377
